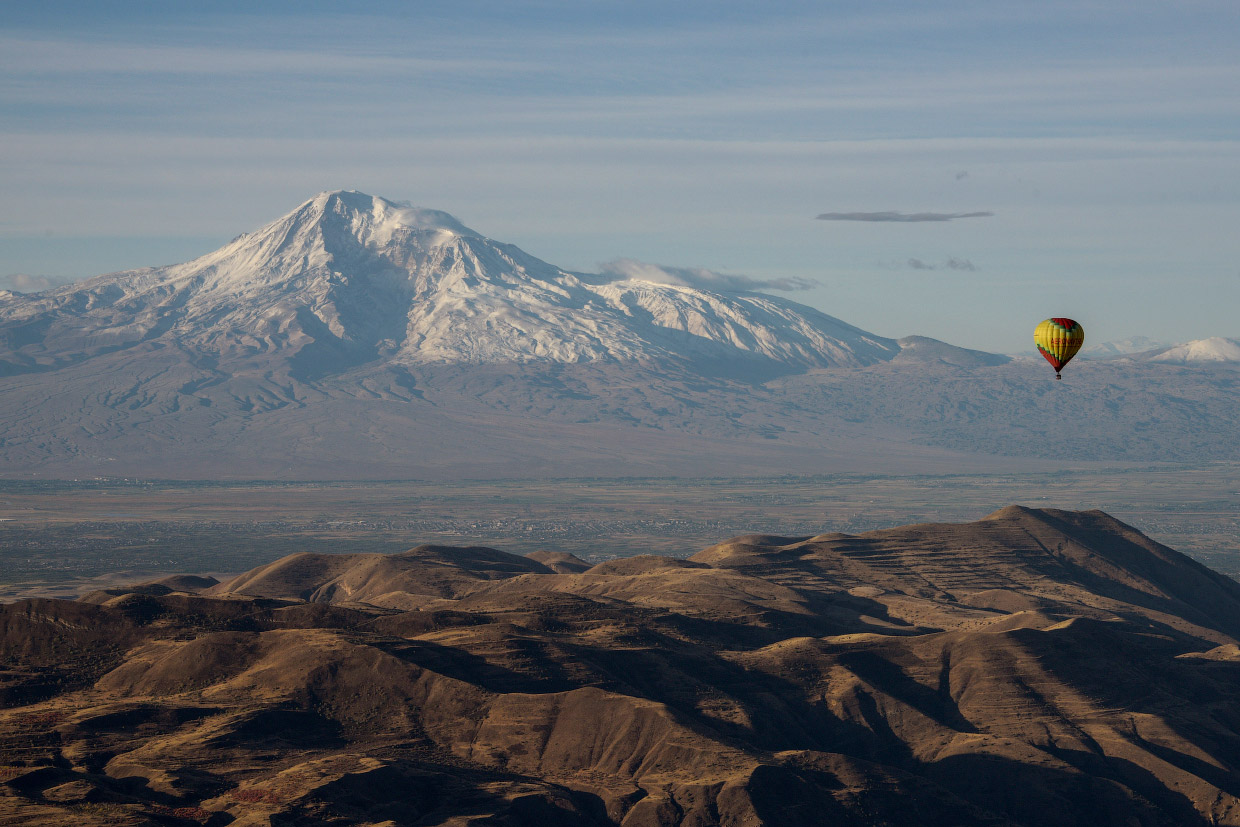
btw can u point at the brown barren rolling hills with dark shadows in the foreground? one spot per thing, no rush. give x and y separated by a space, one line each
994 673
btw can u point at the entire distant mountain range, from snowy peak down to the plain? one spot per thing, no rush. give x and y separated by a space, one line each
359 338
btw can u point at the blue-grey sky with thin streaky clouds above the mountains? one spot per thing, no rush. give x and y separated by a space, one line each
958 170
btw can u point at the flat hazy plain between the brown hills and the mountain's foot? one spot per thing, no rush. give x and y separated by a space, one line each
63 539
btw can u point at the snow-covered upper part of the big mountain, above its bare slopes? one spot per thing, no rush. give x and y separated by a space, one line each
347 280
